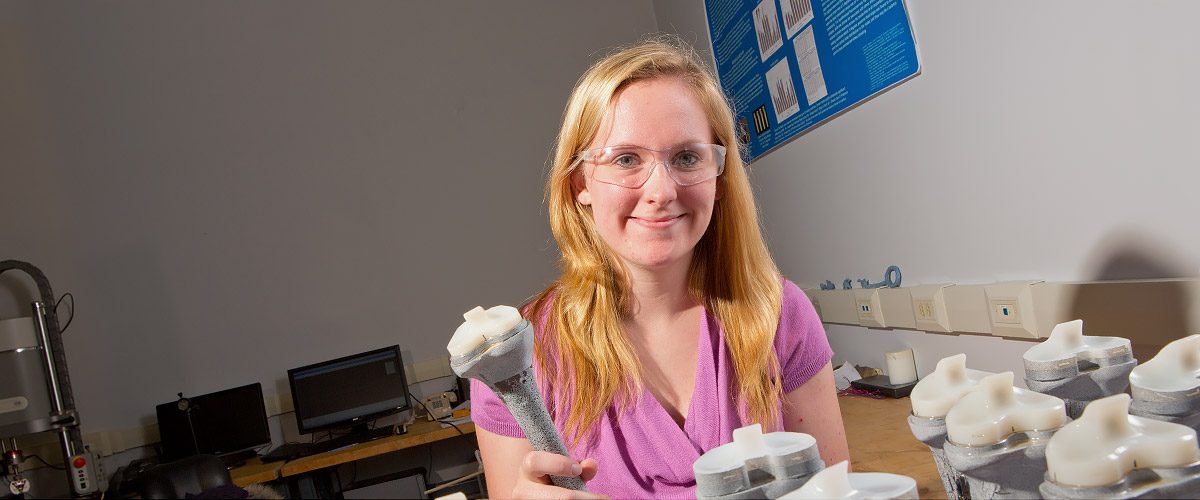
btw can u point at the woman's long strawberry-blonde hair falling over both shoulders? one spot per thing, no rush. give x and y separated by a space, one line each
733 273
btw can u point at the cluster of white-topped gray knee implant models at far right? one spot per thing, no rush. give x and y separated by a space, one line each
1076 435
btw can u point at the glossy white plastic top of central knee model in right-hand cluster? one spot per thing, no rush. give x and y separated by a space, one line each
998 411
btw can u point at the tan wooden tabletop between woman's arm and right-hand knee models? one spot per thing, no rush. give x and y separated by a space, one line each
881 442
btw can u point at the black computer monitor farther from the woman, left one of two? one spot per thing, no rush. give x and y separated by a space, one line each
225 423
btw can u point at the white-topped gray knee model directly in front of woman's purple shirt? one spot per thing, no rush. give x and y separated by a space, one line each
757 466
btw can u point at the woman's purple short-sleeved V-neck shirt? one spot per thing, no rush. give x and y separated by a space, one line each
649 455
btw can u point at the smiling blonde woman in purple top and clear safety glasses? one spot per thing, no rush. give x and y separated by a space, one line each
670 326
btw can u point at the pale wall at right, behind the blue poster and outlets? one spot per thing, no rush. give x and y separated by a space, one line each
1046 141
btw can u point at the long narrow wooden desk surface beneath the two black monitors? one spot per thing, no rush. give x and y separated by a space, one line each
419 433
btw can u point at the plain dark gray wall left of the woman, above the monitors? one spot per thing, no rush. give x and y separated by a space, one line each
231 190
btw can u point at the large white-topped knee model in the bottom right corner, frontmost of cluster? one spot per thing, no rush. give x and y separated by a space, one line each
1111 454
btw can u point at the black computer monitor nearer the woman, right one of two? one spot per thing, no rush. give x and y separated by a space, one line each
349 391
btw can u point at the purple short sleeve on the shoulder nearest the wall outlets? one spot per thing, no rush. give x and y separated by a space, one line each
801 342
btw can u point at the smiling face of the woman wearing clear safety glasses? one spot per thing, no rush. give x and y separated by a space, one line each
658 224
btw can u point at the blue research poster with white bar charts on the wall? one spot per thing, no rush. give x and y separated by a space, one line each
791 65
